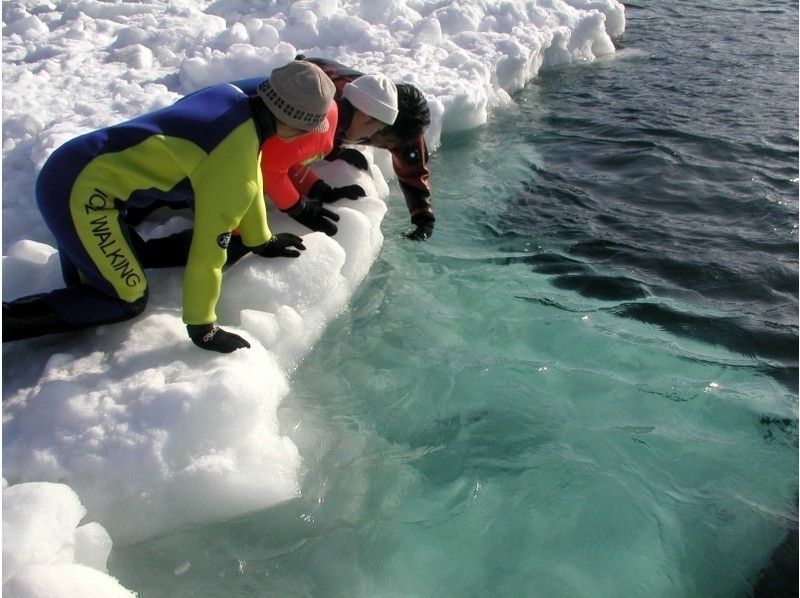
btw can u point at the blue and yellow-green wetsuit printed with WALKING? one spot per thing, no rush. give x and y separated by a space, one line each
204 150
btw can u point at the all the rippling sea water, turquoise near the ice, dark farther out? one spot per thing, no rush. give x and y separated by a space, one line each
586 383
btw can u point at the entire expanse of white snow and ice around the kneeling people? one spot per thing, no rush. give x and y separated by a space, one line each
129 425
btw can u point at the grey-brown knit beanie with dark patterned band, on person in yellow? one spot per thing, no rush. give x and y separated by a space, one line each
299 95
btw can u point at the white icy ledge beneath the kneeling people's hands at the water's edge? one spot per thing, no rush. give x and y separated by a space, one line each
154 434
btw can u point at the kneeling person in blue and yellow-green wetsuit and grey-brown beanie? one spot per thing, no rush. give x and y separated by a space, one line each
204 149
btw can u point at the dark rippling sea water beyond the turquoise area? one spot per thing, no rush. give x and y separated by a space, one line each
676 176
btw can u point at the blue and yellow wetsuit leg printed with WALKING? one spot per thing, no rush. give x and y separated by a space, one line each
105 277
